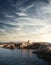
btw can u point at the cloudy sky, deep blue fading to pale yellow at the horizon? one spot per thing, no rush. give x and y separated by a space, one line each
22 20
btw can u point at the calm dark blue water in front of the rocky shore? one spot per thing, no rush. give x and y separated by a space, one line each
20 57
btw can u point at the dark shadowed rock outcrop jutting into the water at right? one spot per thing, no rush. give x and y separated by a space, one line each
44 52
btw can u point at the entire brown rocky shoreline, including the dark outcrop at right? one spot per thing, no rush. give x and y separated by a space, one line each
42 49
